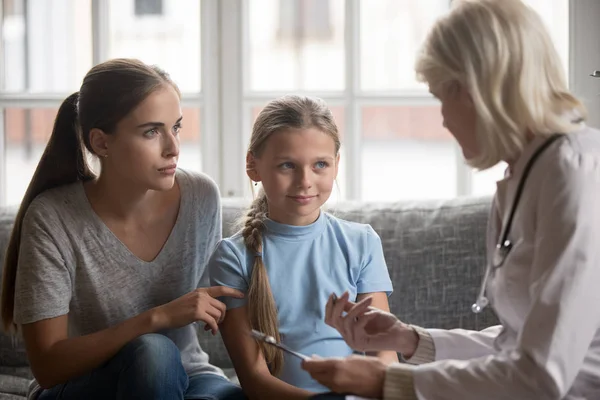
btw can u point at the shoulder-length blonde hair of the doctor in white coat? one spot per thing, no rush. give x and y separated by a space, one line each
501 52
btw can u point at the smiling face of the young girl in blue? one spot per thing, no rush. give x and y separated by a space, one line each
297 168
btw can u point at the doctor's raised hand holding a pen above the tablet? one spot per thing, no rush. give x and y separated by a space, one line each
366 328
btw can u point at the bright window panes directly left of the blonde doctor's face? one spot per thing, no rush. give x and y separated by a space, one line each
403 143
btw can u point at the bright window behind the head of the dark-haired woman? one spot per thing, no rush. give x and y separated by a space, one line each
49 45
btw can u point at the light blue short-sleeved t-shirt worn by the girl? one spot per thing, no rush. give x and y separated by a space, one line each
305 264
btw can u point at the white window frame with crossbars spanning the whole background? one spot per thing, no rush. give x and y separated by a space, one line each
226 102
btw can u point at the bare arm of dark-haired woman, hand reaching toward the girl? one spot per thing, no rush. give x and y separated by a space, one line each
55 358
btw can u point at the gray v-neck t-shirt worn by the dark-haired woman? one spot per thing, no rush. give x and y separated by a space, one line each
71 263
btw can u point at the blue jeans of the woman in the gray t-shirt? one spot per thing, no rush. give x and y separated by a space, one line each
148 368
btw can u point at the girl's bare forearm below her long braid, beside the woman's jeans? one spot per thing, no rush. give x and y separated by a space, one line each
249 363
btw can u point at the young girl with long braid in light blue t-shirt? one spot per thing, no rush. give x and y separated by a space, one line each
290 256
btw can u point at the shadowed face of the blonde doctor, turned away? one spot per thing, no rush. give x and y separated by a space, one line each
458 112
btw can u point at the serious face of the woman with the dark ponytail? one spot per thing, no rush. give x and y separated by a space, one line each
144 149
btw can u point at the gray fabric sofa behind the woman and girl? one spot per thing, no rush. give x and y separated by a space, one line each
435 253
